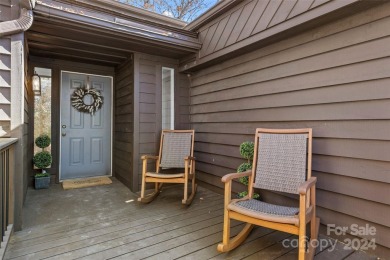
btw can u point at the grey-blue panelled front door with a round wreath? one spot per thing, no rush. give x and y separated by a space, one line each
85 137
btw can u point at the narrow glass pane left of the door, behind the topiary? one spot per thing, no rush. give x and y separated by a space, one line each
42 107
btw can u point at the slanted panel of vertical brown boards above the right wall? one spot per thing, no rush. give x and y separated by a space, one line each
250 18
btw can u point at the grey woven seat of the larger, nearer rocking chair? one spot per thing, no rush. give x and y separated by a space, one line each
262 210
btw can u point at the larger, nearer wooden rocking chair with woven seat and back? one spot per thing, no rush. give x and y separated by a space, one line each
282 163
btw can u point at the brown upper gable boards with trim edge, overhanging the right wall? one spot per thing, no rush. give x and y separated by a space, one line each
254 24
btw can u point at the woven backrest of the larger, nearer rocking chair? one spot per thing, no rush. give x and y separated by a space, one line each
281 160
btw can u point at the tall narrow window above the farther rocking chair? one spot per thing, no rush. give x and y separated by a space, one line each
168 113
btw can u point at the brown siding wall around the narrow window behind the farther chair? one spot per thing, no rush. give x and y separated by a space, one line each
148 78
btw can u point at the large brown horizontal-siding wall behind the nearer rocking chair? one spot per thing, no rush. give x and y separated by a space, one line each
334 79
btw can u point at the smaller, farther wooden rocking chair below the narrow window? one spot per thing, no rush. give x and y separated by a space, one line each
176 151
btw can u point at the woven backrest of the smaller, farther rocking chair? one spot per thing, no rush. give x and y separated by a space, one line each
175 146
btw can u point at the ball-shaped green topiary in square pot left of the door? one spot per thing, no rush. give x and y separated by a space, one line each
42 160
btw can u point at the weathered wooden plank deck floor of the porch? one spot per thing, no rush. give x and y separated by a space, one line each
106 222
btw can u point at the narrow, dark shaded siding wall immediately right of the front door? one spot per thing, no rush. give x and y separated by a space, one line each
123 122
